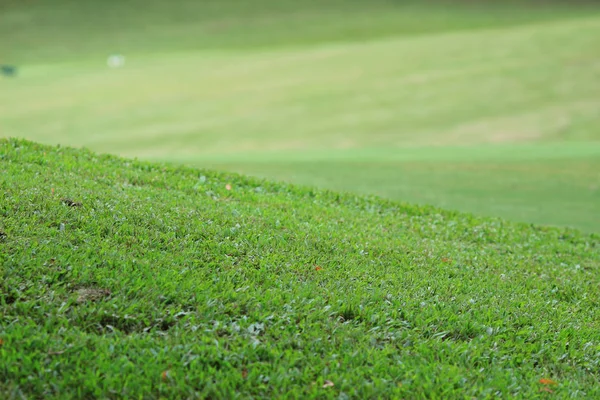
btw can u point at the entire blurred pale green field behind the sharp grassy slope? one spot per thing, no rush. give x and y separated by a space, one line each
486 107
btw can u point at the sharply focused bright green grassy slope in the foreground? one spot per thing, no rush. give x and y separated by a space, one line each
164 283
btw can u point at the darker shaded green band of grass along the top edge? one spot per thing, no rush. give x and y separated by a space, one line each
41 30
